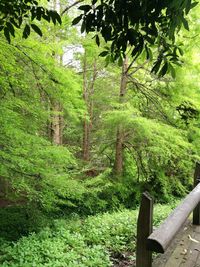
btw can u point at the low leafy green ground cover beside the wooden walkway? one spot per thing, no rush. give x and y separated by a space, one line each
75 241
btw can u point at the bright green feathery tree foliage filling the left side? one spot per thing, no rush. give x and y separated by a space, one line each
31 79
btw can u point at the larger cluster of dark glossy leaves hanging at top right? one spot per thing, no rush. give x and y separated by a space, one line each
138 25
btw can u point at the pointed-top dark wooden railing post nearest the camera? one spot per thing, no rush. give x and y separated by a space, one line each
144 229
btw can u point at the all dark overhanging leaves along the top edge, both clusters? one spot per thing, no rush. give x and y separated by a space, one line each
139 24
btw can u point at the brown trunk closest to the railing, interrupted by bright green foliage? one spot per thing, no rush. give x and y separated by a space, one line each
118 165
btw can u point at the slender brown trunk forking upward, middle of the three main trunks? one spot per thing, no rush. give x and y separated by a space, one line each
88 92
